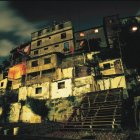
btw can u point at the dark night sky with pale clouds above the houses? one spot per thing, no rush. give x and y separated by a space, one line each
19 19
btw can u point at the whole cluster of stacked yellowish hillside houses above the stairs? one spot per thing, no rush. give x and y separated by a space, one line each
59 62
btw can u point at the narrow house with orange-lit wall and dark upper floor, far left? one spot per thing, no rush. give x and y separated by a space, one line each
17 70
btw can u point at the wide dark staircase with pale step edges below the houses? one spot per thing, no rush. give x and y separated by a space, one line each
98 111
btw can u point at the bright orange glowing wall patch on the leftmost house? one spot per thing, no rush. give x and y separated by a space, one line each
17 71
